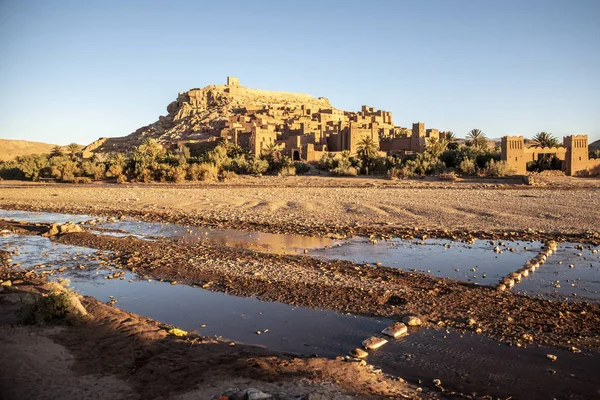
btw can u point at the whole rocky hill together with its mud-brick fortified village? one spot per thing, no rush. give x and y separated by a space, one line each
303 126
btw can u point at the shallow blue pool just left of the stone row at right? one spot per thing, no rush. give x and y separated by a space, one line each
476 262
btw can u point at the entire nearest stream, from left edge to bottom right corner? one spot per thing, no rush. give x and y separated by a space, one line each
463 362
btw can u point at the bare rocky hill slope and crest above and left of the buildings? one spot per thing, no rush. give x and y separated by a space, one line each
200 114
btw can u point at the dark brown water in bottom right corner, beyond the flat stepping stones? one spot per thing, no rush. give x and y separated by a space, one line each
472 363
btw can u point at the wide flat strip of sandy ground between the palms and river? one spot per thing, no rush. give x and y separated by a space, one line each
313 204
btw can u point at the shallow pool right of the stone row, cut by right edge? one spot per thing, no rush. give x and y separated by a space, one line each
555 279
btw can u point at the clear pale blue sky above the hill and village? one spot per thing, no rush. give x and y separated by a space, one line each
78 70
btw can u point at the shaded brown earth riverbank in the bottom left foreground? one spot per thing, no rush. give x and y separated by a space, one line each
120 355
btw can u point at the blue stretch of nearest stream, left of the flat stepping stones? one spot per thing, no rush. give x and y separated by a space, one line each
290 329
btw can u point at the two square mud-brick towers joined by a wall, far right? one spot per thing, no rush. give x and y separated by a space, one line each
574 155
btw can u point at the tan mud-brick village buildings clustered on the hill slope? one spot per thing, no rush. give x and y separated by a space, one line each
306 134
